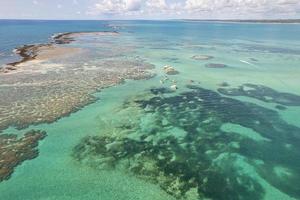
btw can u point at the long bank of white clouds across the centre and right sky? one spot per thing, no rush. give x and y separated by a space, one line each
195 8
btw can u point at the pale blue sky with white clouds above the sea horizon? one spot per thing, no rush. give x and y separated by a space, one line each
149 9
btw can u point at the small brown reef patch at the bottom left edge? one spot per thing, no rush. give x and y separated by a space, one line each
15 150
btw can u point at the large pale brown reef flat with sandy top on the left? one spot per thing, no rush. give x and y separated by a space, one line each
60 79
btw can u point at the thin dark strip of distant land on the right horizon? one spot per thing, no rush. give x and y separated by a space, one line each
283 21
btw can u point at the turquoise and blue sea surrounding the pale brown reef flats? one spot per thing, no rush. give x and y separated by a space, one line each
225 126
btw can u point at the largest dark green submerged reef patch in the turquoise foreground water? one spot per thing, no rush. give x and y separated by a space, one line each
177 141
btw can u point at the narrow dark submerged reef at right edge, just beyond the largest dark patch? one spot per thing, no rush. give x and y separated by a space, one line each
262 93
